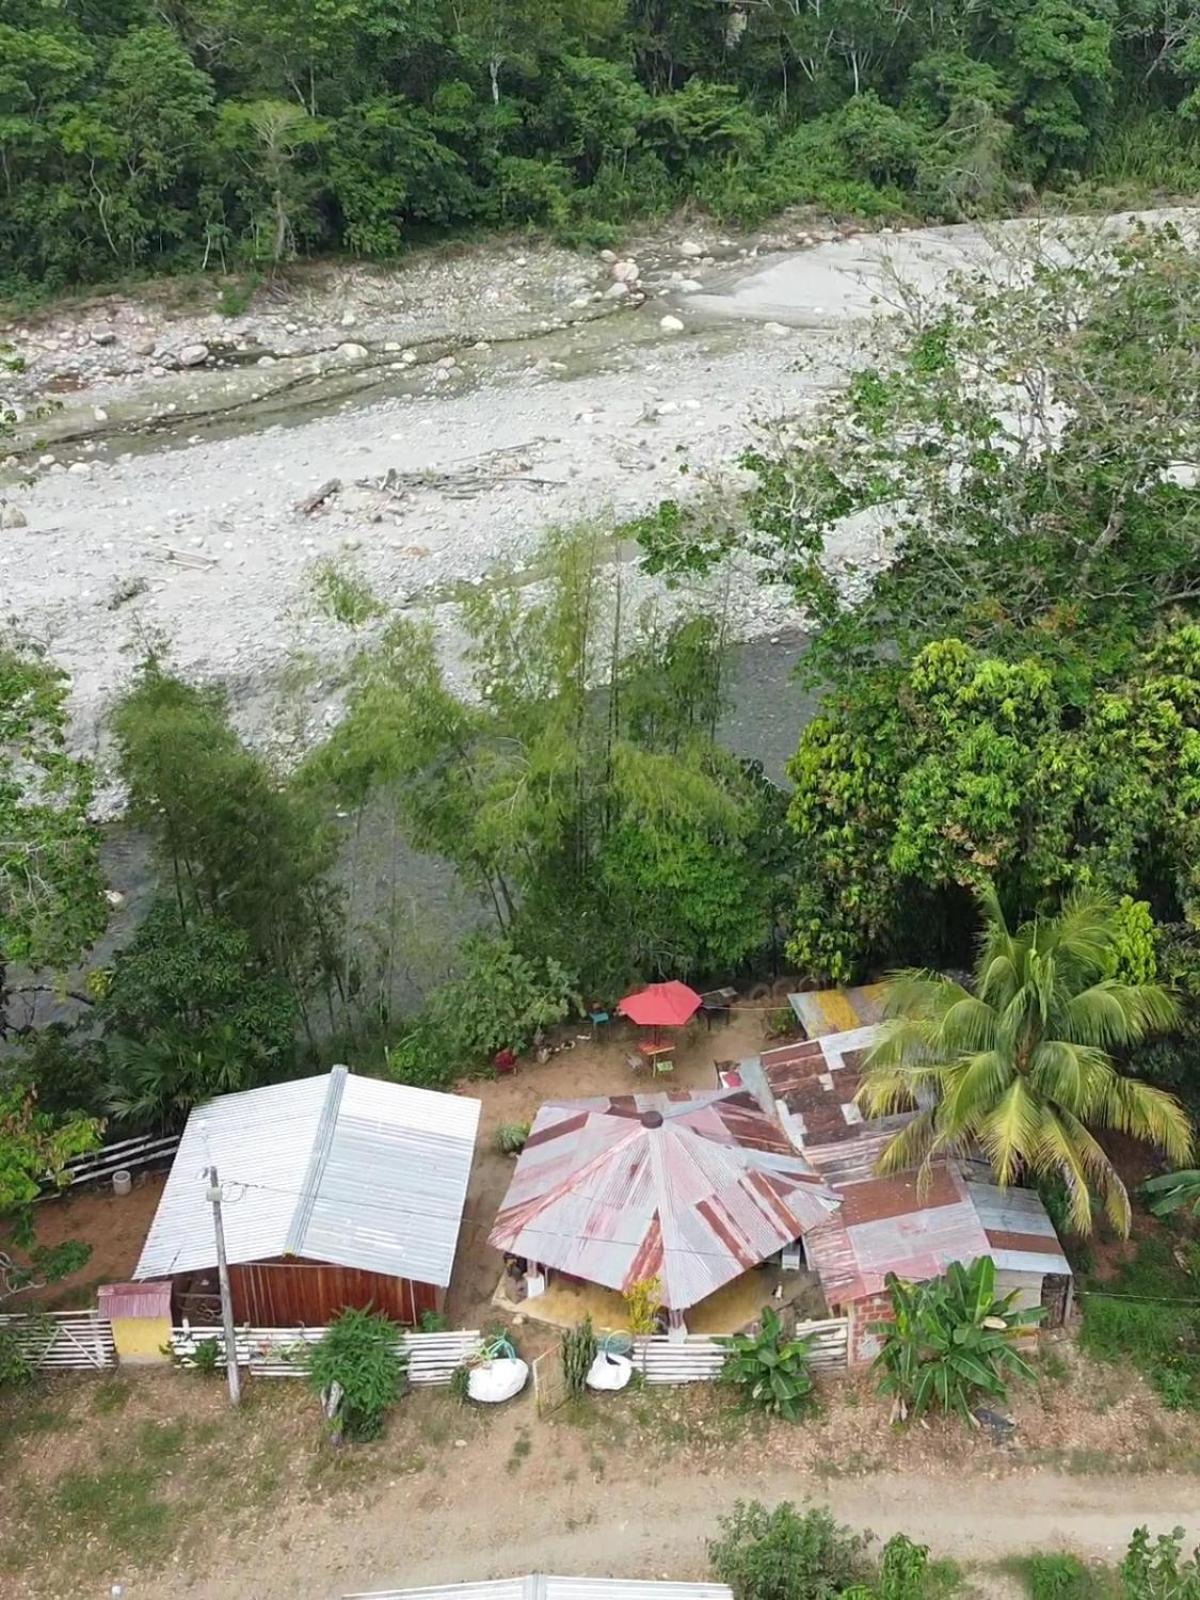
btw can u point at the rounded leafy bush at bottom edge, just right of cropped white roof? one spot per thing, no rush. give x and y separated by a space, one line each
785 1554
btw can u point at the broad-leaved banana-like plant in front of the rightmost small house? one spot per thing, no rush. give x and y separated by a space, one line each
951 1342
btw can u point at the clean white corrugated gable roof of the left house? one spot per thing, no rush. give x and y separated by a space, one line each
337 1169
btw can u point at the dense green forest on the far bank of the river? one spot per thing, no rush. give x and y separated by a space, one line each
230 134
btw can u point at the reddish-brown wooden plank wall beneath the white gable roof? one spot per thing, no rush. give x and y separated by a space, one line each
311 1294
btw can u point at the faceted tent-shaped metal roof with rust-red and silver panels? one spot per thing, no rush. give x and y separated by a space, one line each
692 1190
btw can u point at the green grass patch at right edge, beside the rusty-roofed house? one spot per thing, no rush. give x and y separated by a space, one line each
1150 1316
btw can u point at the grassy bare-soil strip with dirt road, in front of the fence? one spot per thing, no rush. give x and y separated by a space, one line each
153 1482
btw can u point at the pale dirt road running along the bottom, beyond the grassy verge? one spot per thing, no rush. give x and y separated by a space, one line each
658 1529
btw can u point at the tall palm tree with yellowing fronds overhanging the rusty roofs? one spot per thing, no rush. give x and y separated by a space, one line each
1020 1065
